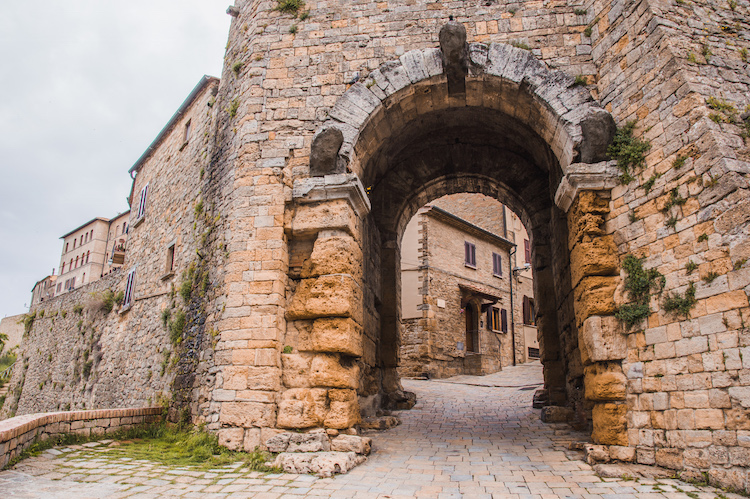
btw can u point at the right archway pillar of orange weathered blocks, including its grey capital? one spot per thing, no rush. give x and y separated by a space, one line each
594 270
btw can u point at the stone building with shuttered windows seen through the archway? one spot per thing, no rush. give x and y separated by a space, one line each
467 273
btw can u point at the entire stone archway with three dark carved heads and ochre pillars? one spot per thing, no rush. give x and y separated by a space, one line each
463 118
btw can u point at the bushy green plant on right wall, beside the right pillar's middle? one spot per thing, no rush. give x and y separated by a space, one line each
639 283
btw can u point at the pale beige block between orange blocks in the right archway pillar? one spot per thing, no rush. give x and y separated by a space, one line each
601 339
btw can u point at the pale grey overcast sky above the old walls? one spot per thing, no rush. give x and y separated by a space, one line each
86 86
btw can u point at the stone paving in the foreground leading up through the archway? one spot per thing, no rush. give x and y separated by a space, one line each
479 440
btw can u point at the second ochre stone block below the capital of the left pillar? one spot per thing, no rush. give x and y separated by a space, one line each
334 255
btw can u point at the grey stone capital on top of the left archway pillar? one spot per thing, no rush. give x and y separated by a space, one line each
337 186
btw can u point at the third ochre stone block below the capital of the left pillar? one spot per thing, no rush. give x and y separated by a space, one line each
326 296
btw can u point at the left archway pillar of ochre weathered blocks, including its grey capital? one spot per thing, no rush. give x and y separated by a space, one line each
321 376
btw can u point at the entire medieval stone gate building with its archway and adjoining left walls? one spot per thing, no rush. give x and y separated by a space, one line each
287 200
